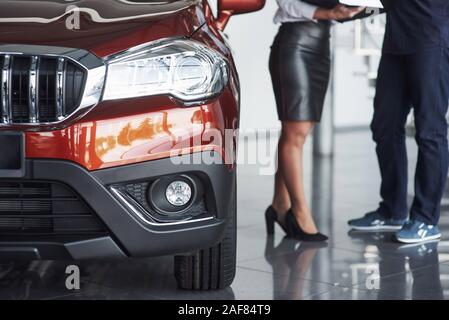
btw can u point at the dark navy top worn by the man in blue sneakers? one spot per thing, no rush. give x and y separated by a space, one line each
416 24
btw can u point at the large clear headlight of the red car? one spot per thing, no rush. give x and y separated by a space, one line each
184 69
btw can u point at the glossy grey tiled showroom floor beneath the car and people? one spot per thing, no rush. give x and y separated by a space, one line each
351 266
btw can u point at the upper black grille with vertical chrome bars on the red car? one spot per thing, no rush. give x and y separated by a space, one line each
39 89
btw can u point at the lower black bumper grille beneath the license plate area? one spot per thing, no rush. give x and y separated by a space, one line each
45 208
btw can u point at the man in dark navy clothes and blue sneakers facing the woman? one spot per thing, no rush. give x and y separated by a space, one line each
413 74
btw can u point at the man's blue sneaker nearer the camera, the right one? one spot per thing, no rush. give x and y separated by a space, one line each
415 231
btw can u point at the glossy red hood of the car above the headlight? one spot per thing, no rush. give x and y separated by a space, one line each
101 26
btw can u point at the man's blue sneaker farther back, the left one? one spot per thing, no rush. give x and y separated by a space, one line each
374 221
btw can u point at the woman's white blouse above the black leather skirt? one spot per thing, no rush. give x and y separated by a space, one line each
294 11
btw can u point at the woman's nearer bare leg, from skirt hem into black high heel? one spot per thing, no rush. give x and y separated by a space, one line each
291 149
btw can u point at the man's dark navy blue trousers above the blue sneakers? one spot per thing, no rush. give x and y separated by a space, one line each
419 81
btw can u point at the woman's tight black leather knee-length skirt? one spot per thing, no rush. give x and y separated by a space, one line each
300 70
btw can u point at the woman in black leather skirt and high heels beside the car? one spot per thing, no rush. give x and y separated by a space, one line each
300 71
